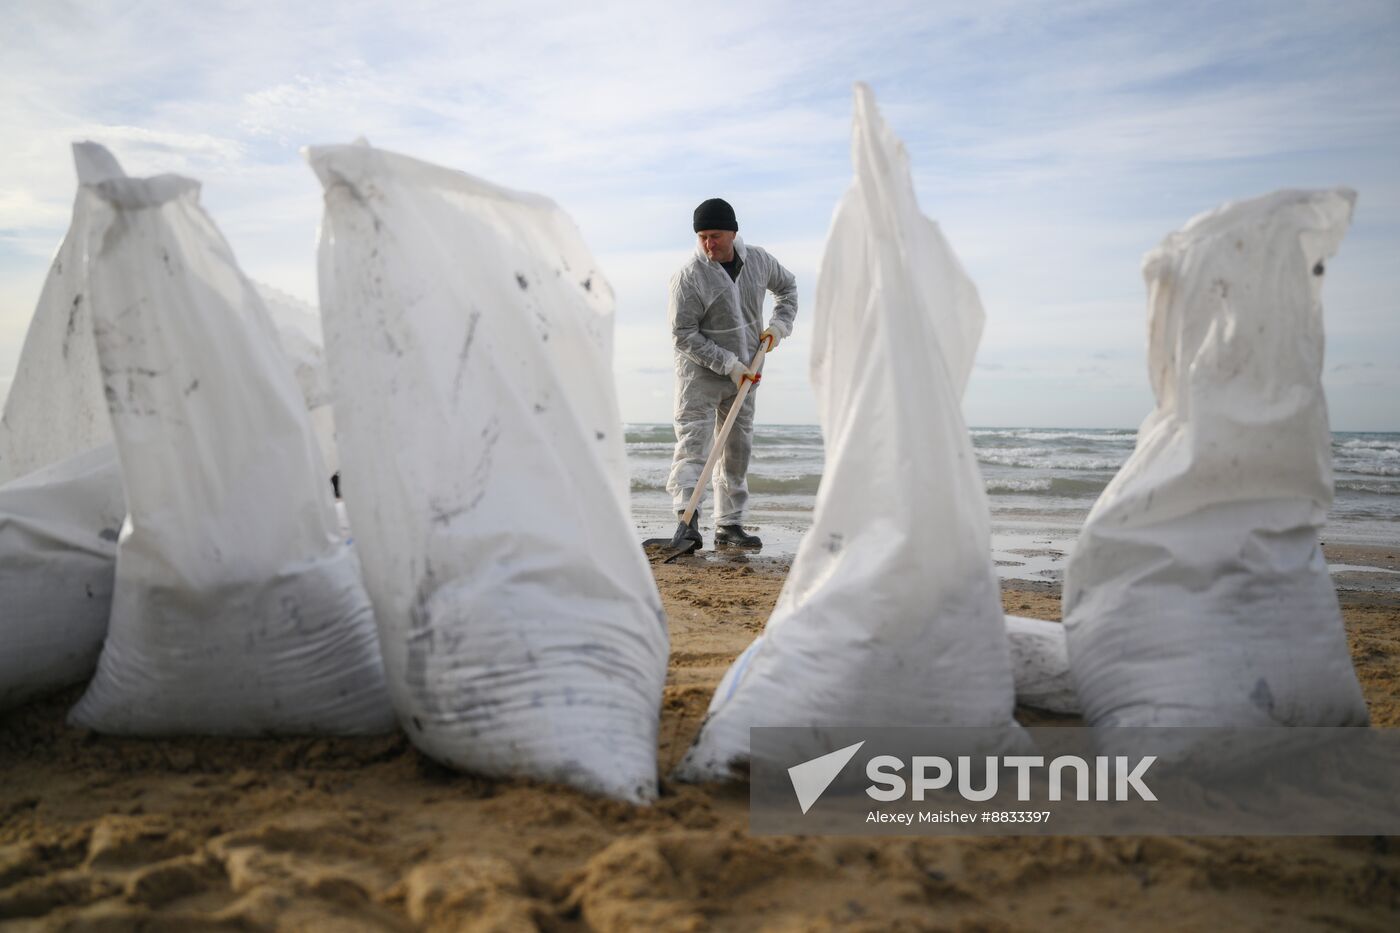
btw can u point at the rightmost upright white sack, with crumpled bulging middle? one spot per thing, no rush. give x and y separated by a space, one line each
1198 593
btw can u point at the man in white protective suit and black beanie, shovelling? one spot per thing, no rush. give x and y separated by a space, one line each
716 326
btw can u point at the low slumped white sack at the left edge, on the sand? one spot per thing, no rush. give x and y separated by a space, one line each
58 554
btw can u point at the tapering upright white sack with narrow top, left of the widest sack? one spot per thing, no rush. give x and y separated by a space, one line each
237 609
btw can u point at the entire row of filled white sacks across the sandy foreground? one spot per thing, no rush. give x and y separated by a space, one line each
167 519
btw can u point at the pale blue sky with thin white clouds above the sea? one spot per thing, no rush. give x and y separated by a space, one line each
1055 142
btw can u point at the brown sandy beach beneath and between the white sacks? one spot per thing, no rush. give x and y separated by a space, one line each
314 834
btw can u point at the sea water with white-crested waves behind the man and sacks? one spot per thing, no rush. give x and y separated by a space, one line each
1041 485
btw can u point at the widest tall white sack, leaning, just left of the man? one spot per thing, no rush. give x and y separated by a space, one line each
468 336
